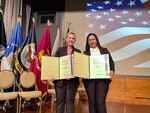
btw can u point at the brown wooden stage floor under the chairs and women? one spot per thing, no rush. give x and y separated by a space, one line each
82 107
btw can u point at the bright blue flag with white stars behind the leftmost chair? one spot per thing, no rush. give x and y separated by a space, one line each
14 44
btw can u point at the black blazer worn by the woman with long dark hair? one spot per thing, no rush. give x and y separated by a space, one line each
102 51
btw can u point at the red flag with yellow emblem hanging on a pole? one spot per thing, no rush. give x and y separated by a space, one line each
44 48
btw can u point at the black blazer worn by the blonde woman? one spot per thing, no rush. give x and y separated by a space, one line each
62 51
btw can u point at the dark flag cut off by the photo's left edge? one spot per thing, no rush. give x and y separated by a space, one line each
2 36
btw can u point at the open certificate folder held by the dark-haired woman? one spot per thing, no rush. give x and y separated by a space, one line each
91 67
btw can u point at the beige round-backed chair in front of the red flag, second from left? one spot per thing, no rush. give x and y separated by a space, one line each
28 80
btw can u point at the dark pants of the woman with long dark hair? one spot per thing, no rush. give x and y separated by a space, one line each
97 91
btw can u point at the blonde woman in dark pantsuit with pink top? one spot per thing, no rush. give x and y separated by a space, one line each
66 88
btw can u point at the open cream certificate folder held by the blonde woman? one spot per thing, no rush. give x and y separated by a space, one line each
56 67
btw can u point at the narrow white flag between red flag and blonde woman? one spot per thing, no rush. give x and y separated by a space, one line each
56 43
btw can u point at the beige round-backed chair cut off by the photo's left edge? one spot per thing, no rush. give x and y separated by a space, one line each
7 80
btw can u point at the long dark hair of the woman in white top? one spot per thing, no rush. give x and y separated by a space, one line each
87 46
